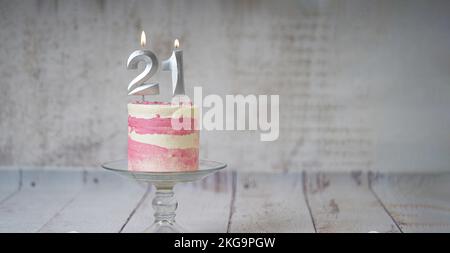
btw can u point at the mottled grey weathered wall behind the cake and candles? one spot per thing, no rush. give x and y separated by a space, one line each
363 85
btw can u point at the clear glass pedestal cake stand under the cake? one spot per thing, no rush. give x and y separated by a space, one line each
164 203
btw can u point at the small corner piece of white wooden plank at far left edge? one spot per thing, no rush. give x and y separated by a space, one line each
10 182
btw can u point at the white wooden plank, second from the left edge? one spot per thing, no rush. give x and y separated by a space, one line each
43 194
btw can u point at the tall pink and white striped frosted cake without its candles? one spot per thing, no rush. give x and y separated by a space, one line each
155 144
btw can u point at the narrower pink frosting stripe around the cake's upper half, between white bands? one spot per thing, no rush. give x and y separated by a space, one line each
159 126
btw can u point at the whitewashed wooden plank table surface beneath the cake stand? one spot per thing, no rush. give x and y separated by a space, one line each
93 200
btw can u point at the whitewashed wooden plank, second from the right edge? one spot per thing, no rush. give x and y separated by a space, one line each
343 202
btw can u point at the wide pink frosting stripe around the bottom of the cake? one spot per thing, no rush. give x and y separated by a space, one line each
147 157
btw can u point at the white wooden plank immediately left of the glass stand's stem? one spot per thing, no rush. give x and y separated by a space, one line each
104 204
